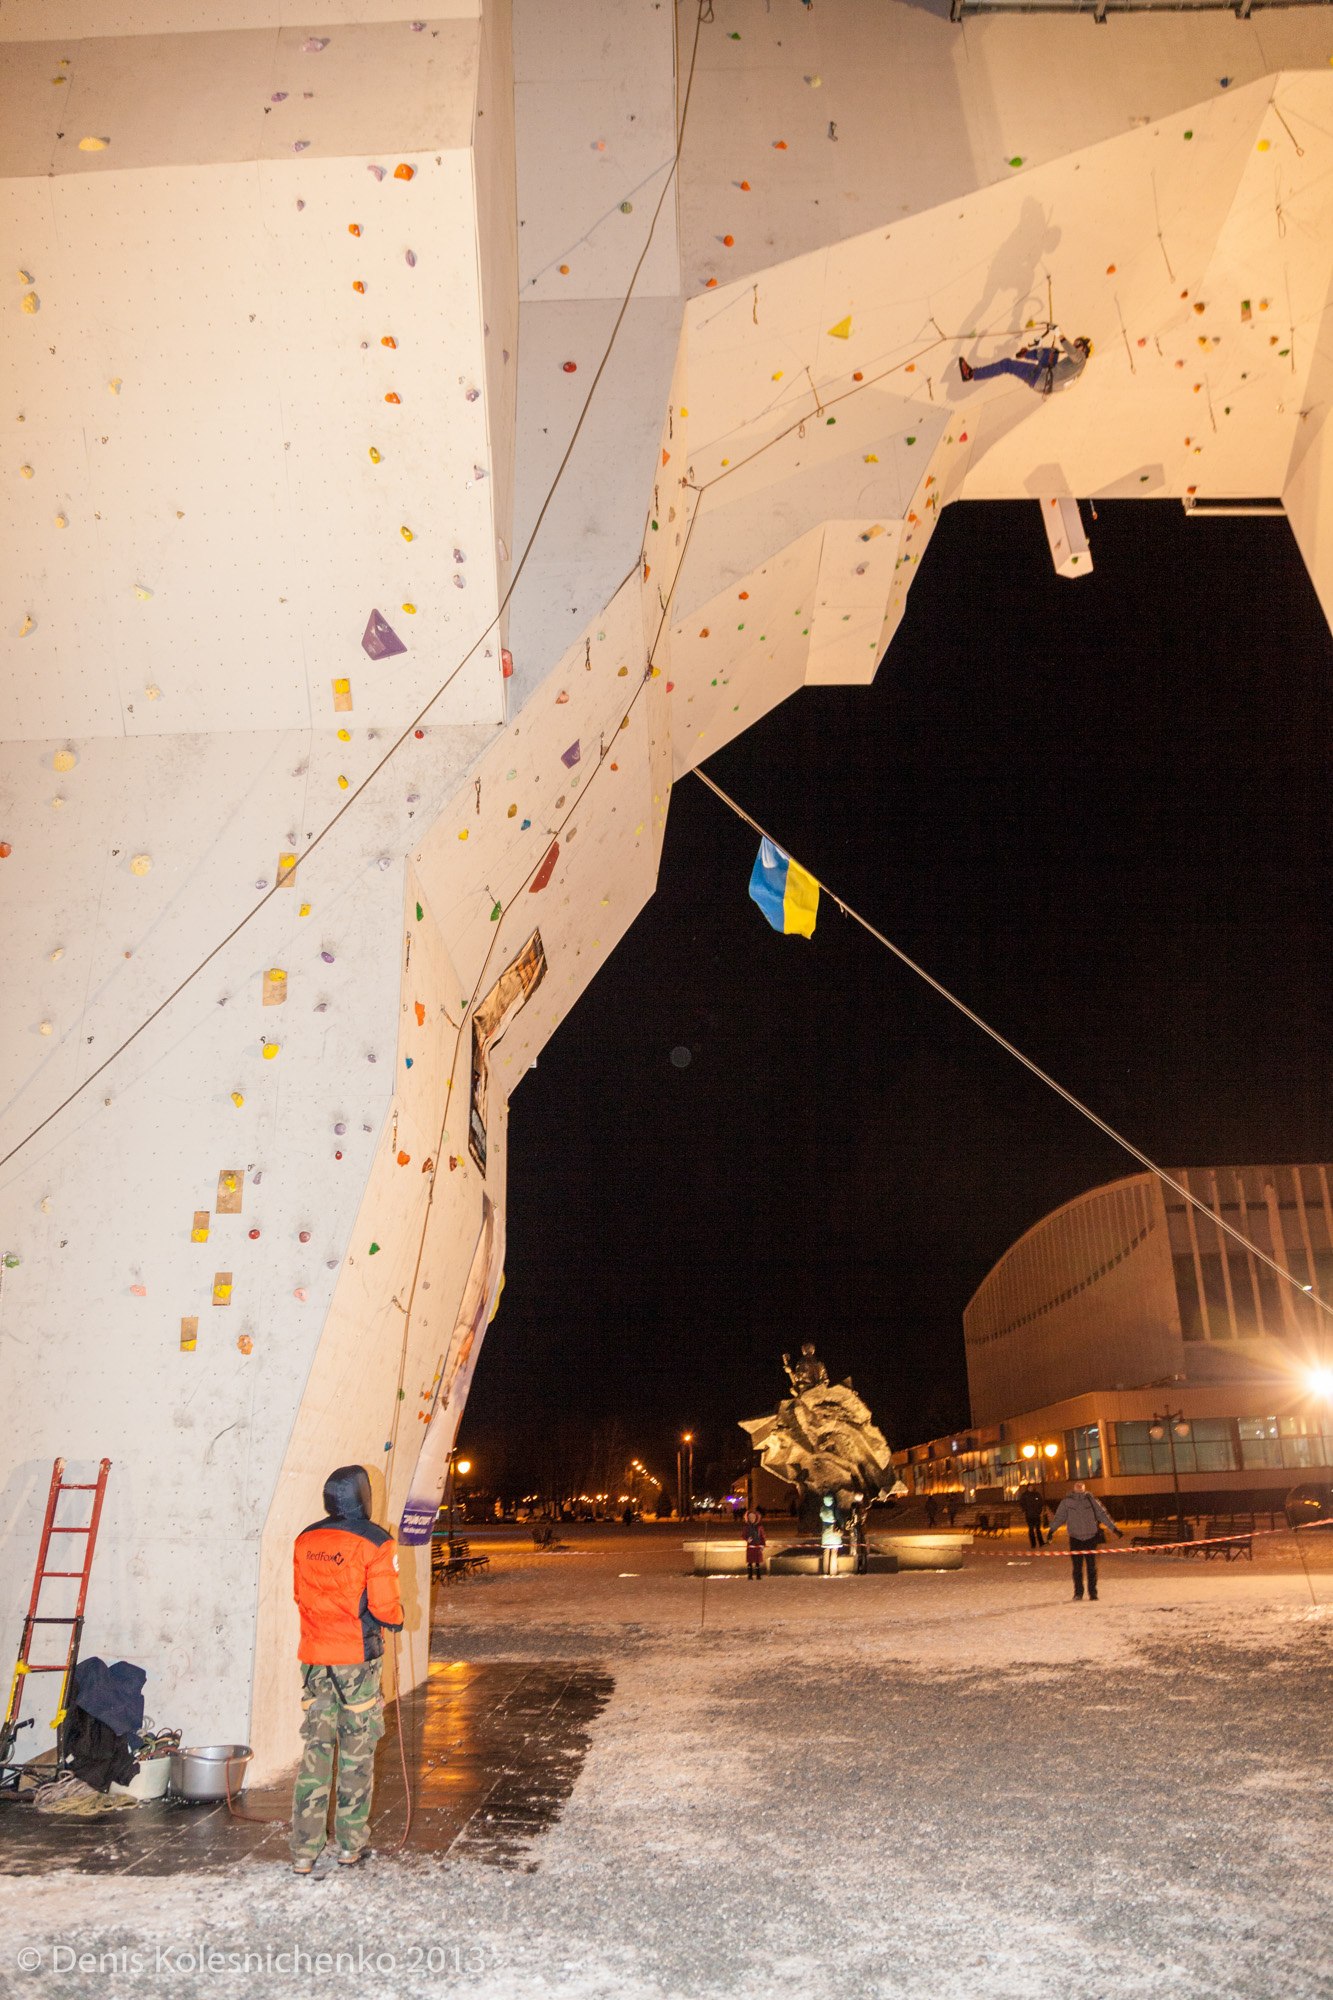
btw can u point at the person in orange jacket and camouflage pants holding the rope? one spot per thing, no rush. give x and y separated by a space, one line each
347 1595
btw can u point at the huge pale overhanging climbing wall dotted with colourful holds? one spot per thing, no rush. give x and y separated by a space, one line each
315 825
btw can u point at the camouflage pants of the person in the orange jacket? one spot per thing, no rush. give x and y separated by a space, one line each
345 1713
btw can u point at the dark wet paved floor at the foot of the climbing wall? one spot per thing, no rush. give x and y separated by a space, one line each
493 1755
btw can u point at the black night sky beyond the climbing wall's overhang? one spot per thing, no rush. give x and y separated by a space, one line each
1100 813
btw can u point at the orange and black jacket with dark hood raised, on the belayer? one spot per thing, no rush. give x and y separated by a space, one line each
345 1575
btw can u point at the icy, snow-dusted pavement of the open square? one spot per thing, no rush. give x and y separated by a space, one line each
952 1785
